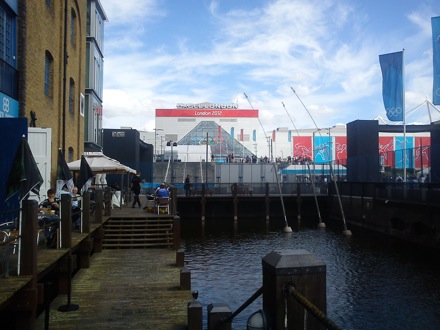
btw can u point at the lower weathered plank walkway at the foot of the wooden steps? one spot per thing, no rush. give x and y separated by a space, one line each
125 289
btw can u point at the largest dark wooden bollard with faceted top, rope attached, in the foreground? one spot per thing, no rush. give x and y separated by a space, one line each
308 275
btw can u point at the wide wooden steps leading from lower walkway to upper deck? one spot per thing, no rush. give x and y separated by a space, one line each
138 233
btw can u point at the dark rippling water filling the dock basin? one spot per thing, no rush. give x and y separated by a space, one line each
372 282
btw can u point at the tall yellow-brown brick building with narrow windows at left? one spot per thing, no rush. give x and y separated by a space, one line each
51 63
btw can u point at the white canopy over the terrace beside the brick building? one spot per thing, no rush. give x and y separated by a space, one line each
100 163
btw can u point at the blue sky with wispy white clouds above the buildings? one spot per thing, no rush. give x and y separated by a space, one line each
162 52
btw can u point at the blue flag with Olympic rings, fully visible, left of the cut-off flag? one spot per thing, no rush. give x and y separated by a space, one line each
392 84
